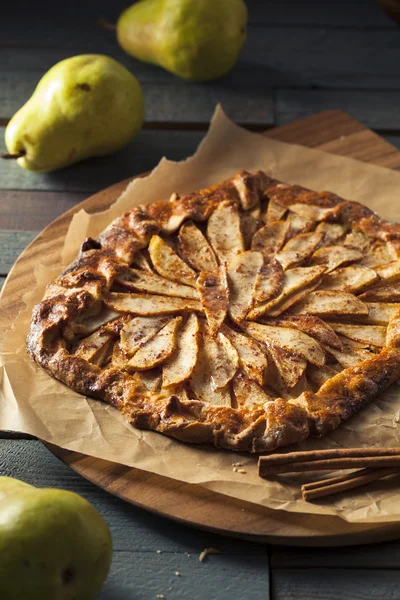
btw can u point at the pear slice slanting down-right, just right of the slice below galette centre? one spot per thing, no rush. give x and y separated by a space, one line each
252 360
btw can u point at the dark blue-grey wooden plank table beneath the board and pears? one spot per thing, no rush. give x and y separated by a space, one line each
300 58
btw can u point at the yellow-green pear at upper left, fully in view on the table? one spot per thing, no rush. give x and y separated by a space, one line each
84 106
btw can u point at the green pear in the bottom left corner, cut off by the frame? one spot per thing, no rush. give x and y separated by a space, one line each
54 545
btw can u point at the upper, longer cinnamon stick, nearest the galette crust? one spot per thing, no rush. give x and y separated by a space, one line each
326 464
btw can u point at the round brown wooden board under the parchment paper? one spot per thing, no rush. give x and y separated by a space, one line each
194 505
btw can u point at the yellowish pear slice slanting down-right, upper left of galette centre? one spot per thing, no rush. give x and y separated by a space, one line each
168 264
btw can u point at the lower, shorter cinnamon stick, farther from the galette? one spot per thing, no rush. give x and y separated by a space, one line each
335 485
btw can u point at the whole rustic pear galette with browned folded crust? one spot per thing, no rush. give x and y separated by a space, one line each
250 315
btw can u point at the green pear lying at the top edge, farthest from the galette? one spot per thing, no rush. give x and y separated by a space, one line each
194 39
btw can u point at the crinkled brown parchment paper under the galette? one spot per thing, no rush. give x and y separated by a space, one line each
32 402
